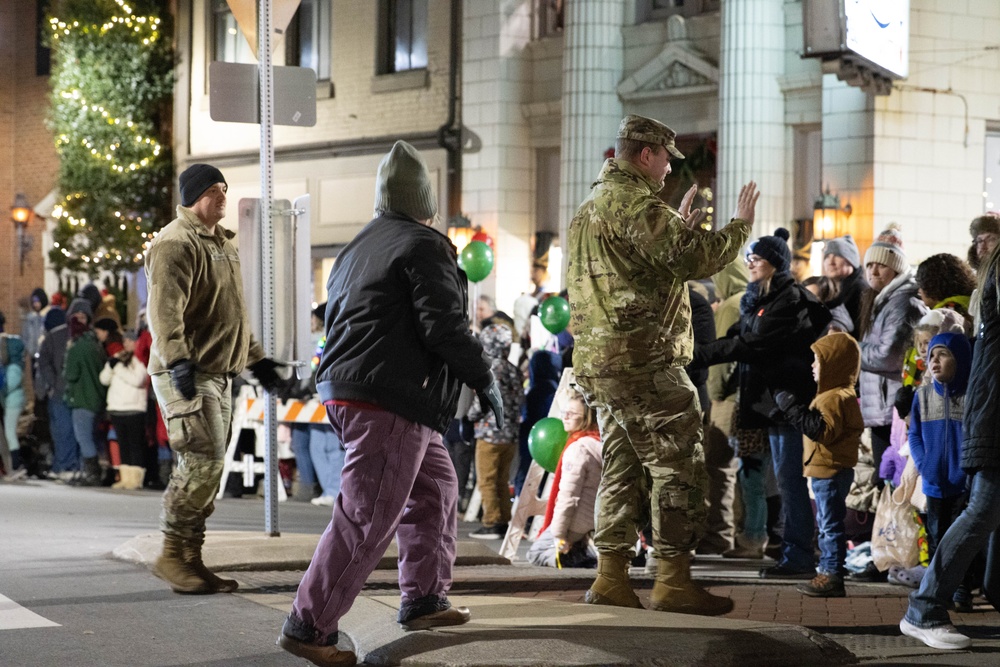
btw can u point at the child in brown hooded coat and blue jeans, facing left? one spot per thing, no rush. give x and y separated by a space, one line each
832 425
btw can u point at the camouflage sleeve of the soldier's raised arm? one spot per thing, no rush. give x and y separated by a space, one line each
661 236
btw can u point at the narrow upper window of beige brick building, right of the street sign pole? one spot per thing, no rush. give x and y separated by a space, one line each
403 36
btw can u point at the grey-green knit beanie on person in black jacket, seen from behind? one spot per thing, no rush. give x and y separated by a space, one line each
403 184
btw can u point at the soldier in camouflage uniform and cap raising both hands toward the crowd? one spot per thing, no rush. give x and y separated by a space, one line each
630 256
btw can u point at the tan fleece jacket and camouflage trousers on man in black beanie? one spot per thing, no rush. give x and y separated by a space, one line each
196 311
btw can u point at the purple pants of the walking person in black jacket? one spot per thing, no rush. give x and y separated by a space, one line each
398 480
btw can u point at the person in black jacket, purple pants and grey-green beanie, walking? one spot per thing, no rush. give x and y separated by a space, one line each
398 347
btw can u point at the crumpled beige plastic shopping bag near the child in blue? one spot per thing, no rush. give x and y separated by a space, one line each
895 535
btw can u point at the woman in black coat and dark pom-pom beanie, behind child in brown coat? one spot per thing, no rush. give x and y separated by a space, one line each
779 321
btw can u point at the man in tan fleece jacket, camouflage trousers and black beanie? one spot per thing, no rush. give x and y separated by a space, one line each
201 340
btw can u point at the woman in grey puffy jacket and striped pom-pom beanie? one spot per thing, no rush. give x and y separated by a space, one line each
889 311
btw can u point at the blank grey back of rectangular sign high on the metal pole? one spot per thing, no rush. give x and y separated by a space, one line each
234 94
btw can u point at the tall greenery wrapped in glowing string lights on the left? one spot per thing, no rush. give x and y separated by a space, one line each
112 85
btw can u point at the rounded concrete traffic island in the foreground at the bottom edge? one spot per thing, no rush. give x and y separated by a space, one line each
519 631
